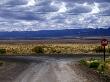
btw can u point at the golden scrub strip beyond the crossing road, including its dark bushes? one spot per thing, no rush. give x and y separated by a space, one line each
27 48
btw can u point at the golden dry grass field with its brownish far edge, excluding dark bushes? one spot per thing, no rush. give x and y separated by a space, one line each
68 46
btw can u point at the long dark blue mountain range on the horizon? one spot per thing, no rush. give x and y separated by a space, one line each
43 34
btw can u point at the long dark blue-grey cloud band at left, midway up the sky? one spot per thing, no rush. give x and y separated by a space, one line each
21 15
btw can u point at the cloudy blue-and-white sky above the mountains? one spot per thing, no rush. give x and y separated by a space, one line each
34 15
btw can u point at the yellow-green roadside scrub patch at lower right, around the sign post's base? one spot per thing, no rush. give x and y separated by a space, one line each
99 65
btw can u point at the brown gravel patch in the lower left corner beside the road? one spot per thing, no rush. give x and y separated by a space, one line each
11 70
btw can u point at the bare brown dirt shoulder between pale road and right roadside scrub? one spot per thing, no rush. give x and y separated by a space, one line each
84 72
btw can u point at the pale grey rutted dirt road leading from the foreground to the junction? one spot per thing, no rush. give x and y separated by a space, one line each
56 71
